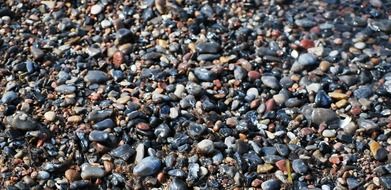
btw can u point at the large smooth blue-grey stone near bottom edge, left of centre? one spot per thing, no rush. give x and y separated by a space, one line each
147 166
